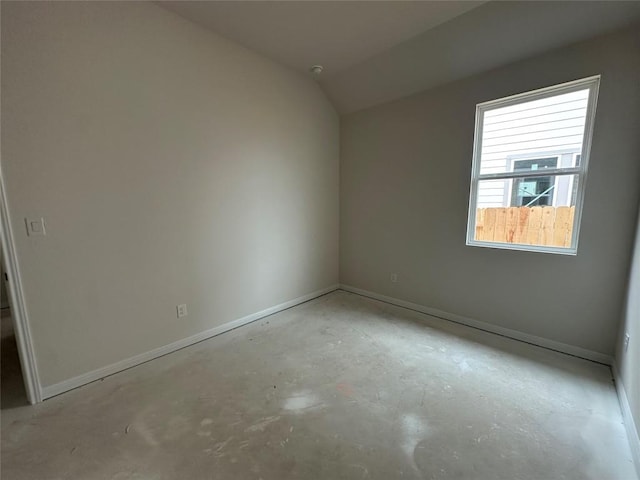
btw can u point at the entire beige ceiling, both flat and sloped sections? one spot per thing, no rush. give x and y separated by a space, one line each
377 51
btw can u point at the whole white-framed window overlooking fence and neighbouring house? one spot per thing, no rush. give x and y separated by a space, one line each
530 159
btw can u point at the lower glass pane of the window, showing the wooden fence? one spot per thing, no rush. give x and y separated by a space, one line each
536 210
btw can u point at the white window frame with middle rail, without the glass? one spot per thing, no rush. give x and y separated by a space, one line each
590 83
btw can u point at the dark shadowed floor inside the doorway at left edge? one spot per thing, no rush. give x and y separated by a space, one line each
12 392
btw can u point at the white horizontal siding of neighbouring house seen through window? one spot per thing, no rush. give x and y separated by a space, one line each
548 127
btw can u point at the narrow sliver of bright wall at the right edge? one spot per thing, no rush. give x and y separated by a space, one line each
628 360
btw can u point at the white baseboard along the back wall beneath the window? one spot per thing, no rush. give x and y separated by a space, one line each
487 327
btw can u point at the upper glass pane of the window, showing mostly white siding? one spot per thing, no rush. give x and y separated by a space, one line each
547 132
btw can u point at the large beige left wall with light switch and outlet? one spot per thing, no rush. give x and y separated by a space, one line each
171 166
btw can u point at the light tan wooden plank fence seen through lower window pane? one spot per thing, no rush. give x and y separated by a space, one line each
551 226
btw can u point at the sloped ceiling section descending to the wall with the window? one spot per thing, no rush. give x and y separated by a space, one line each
487 37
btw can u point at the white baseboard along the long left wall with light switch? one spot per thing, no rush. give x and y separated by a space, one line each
75 382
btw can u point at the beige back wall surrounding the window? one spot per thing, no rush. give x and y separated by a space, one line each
405 173
